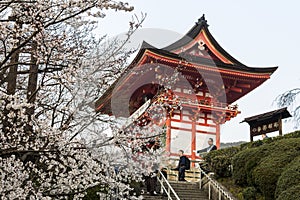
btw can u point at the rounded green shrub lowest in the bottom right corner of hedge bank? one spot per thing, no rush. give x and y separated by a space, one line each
289 178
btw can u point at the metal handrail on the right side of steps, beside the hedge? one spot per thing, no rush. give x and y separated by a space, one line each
213 183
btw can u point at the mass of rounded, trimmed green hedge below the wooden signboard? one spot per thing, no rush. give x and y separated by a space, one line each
267 168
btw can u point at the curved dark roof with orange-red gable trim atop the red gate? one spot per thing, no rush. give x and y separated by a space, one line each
172 52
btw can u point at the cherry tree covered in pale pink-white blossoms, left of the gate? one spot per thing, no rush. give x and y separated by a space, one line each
53 145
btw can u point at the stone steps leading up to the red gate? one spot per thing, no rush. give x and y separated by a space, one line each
185 191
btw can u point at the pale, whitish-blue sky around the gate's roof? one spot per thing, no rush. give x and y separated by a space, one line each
257 33
